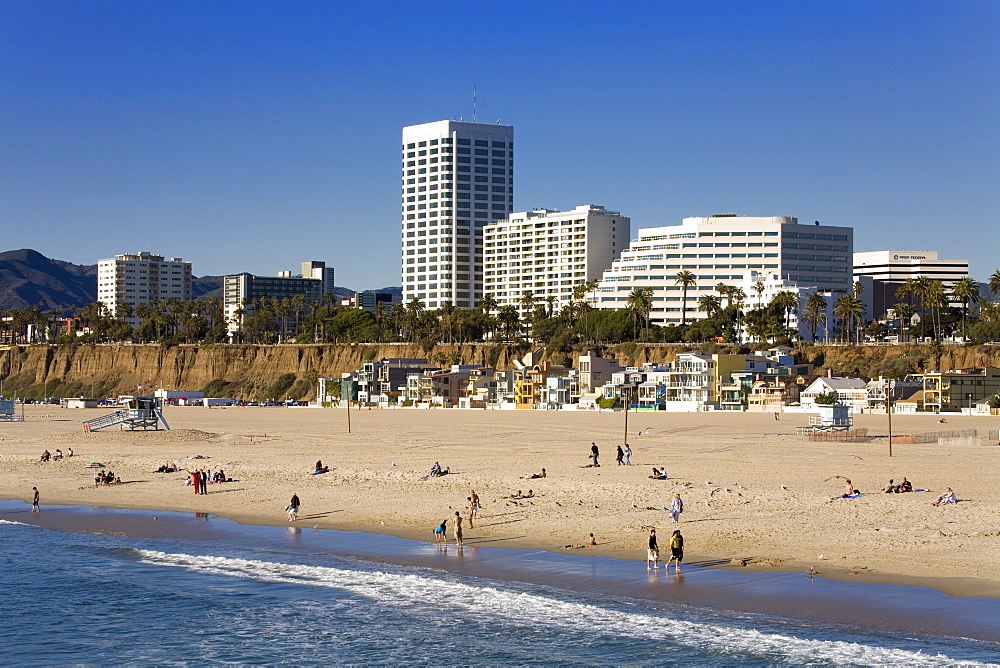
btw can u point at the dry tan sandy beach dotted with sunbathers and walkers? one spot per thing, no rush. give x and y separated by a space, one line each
757 496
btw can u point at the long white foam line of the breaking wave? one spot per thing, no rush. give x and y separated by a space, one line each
462 598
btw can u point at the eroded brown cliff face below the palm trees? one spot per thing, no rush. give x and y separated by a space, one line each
251 371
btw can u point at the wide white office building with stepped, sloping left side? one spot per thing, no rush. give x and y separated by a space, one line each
719 249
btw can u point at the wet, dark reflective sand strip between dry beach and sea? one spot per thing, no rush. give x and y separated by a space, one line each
776 596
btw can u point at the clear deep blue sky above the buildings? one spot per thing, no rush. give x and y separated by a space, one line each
249 136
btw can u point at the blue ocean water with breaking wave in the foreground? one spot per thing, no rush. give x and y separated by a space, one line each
102 598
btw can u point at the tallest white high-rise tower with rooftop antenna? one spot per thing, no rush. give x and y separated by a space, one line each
457 177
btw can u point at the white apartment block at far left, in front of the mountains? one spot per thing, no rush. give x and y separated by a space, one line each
141 278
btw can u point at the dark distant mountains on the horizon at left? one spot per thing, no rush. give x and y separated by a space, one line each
28 278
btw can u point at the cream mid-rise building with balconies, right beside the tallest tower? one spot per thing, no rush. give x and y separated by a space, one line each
546 252
